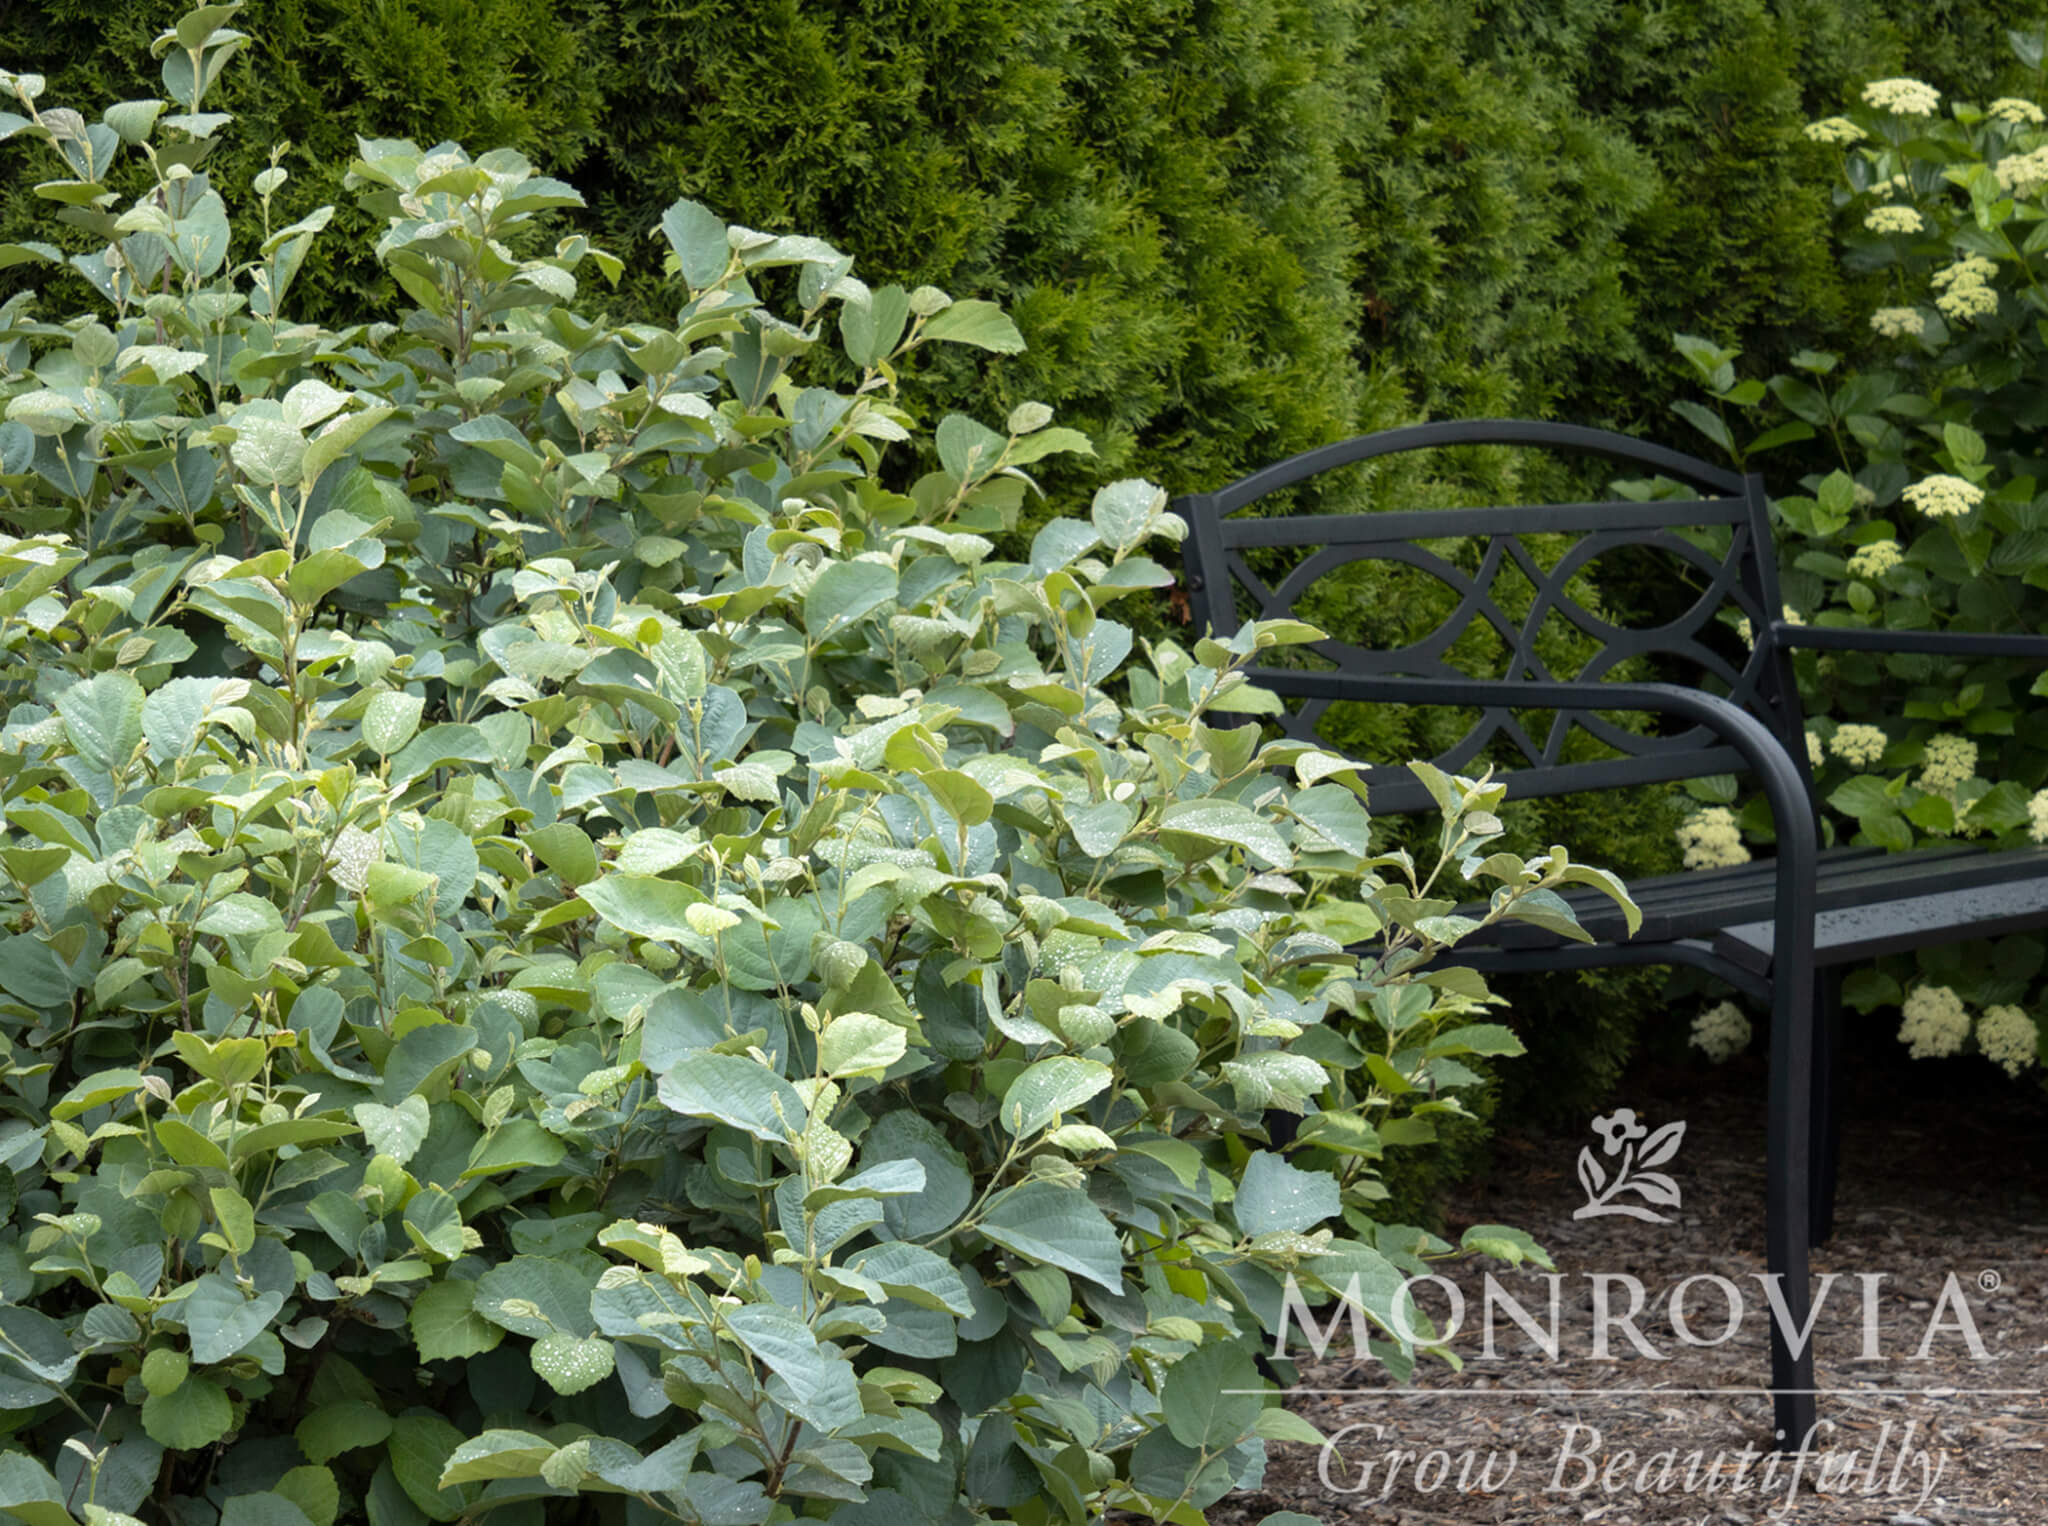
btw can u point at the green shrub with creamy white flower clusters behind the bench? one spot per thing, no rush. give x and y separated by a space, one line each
1930 515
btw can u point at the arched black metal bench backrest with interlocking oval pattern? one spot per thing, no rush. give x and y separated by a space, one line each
1226 589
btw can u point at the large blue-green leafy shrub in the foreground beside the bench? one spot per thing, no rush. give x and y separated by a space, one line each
574 947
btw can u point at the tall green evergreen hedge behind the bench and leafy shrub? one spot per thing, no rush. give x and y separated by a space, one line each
1228 232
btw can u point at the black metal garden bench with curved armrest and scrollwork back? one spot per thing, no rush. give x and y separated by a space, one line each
1779 931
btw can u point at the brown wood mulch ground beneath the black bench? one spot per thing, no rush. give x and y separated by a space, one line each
1945 1171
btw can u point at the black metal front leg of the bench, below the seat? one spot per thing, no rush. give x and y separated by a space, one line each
1787 1220
